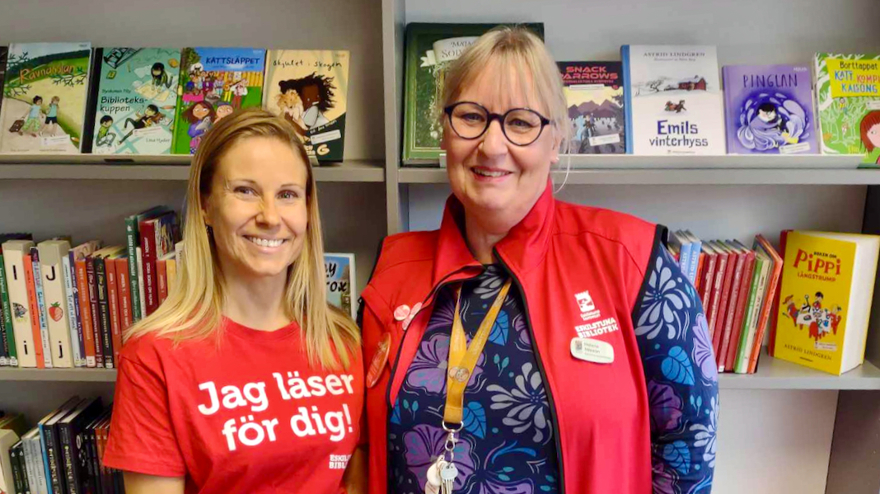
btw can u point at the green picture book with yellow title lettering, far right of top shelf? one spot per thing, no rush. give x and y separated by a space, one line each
848 102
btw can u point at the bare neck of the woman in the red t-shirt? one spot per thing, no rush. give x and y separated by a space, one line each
256 303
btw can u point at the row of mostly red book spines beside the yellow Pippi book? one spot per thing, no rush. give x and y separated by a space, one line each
737 288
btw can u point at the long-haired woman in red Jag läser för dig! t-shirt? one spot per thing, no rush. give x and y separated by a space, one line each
244 379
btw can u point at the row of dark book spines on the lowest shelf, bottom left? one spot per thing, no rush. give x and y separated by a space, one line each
64 459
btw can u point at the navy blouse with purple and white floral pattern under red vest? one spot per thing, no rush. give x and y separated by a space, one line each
507 445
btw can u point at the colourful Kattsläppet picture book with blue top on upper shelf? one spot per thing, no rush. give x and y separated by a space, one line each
214 82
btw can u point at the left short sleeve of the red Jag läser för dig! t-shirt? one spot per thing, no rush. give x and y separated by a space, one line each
142 438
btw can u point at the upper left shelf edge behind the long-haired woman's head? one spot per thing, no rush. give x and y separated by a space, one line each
166 167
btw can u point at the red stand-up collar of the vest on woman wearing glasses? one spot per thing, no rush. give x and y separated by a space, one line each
522 248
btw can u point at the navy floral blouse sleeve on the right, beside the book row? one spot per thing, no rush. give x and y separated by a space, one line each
681 377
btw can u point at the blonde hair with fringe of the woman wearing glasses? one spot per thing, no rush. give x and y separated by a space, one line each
518 48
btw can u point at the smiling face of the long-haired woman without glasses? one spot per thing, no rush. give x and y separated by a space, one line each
257 209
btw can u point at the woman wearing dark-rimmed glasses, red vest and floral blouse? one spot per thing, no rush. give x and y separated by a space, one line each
531 345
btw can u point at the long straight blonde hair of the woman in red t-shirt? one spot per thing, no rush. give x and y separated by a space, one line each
193 309
